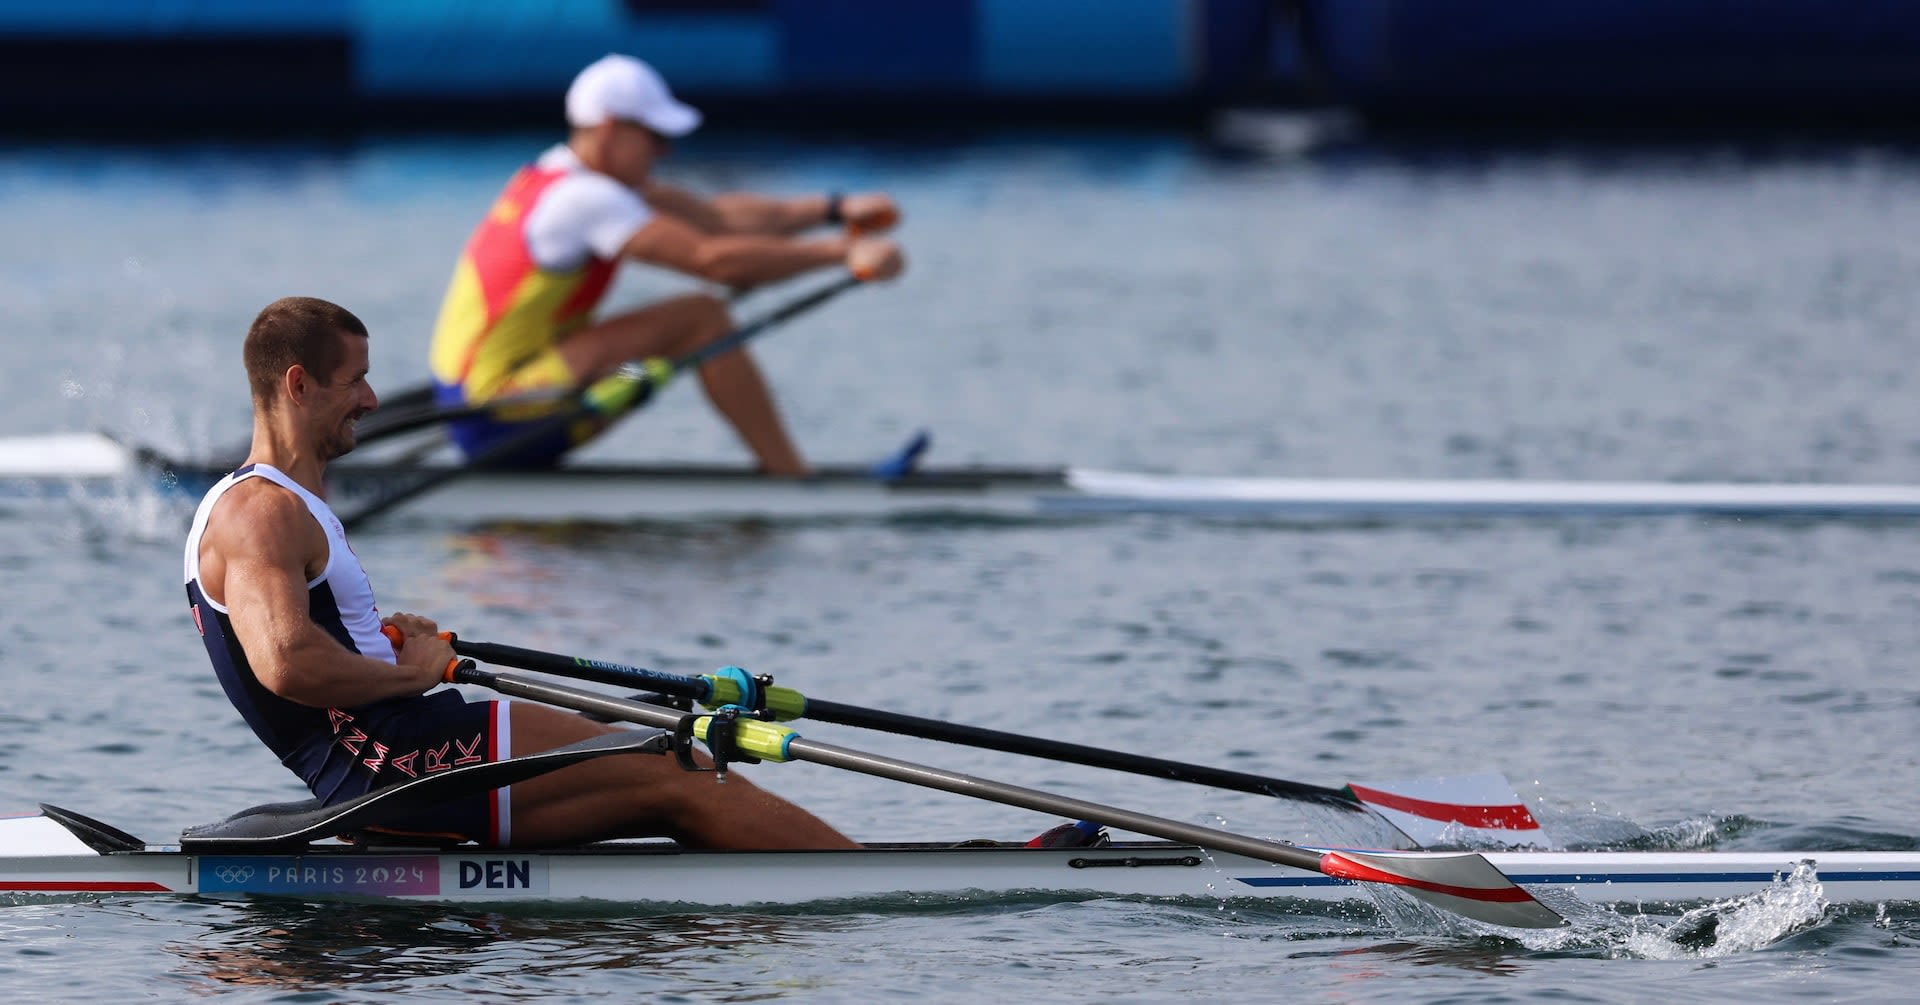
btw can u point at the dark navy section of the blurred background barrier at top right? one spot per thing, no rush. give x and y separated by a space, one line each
1742 59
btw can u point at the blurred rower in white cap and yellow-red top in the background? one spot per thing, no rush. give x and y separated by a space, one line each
519 314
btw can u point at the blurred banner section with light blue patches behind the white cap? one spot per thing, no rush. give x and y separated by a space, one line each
400 61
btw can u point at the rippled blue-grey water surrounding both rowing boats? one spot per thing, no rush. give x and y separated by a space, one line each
1140 303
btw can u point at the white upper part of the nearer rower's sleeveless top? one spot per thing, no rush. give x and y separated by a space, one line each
341 597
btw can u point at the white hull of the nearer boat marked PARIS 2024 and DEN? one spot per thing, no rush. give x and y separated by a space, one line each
49 856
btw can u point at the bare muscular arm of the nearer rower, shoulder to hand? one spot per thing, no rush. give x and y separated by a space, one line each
262 547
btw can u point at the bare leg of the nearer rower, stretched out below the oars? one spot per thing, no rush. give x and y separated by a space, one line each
642 797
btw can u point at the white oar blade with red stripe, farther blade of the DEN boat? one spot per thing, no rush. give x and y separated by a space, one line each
1464 810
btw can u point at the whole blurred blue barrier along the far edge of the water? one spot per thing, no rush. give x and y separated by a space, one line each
408 62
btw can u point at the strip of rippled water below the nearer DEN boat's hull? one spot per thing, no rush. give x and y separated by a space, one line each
932 950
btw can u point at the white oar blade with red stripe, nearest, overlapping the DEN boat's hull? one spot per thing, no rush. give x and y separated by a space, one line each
1462 883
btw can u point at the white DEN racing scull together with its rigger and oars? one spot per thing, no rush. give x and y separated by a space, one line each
289 848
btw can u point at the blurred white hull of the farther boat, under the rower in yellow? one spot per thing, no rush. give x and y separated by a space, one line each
62 468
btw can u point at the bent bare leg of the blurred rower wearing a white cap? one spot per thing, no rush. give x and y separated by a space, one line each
677 328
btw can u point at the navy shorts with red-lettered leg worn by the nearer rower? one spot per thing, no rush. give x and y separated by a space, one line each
395 743
